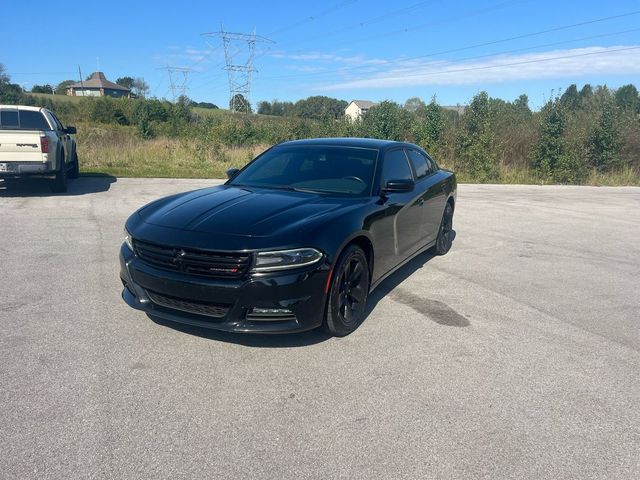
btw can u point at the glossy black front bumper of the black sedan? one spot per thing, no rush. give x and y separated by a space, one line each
227 304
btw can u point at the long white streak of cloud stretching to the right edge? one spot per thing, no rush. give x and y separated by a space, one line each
616 60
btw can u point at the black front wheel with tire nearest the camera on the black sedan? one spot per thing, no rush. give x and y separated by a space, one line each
347 300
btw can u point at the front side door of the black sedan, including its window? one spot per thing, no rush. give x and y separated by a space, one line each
404 210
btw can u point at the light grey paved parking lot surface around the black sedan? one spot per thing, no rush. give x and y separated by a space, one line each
514 356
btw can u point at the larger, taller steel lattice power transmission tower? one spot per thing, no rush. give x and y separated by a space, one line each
239 50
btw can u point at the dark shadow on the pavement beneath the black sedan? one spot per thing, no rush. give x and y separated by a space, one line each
305 338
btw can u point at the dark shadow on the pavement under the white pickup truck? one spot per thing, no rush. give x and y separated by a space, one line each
39 187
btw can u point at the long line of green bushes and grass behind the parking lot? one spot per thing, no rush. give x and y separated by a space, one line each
590 136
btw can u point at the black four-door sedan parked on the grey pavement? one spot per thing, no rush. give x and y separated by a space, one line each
295 240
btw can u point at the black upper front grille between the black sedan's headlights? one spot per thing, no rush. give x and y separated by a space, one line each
195 262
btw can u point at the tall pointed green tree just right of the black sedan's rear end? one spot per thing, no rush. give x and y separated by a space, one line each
476 142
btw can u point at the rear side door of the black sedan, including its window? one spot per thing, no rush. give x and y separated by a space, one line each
432 184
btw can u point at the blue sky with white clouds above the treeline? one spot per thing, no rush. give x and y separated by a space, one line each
350 49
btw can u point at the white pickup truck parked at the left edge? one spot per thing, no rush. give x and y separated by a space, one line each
33 143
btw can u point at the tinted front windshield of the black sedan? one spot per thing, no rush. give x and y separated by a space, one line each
320 168
